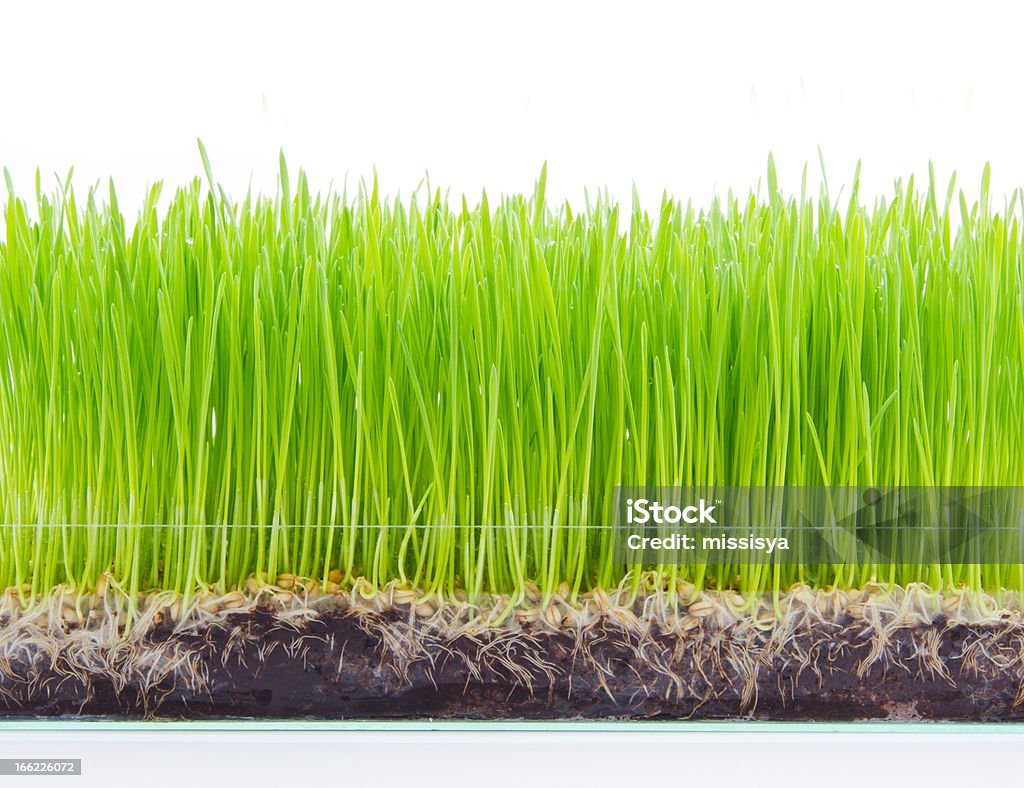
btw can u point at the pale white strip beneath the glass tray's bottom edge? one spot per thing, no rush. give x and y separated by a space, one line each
425 760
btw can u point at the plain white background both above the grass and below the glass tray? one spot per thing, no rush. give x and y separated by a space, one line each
686 98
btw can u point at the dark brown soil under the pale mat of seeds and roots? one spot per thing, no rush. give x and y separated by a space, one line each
349 668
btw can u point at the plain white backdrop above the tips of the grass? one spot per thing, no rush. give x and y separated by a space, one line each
685 97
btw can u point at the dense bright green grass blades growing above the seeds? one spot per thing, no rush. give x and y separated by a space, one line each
221 389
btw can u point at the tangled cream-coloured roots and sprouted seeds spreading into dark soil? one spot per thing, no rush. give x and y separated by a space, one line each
656 653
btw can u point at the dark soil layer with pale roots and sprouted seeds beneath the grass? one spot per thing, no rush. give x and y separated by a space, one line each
302 653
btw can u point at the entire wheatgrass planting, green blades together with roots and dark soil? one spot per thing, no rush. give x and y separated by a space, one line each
340 457
